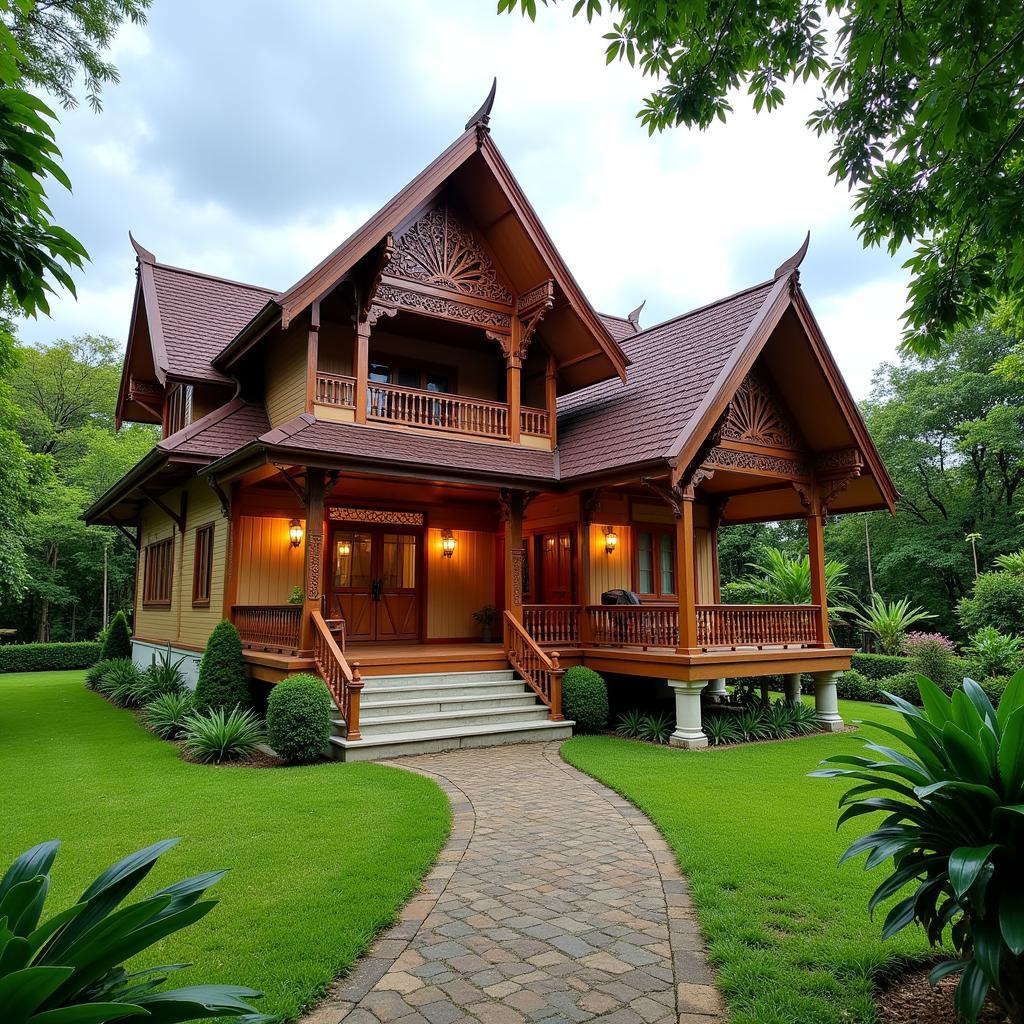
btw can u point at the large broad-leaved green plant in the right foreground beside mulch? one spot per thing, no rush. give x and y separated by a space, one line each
954 831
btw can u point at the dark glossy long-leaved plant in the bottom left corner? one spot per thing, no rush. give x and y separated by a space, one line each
70 968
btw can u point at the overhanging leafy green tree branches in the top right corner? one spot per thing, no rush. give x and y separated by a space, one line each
925 103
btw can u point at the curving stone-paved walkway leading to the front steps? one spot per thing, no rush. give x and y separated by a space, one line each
554 901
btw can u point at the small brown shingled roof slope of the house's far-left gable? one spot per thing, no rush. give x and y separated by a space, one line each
199 316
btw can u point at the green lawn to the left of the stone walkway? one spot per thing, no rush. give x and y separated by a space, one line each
321 858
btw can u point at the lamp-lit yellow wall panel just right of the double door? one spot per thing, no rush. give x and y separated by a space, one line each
458 586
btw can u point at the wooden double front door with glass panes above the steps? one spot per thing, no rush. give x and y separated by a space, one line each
374 580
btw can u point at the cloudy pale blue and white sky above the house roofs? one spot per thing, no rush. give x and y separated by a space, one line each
249 138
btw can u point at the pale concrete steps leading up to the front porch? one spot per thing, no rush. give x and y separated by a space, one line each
402 715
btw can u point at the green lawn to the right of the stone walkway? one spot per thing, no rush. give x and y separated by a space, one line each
790 933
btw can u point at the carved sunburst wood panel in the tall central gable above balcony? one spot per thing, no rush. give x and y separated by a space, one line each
439 250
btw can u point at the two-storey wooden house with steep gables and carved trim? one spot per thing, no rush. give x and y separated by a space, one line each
435 420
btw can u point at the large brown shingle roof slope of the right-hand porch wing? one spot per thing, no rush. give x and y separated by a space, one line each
674 366
